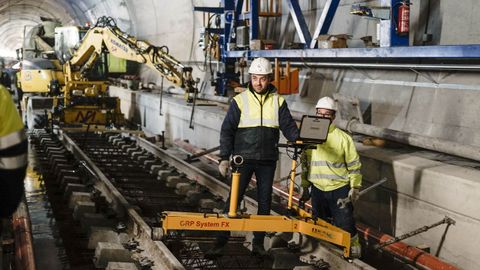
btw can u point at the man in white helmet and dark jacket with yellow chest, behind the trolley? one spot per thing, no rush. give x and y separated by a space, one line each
251 129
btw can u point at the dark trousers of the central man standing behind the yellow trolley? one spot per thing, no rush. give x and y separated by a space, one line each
264 173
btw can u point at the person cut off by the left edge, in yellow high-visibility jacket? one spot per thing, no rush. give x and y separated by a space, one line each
13 155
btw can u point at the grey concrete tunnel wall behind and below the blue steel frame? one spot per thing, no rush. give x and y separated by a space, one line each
437 104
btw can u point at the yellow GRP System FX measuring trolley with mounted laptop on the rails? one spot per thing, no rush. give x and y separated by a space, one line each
313 130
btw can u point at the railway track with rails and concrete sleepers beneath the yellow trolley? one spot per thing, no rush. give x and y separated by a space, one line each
108 190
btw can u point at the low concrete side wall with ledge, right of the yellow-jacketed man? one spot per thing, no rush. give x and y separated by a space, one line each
421 192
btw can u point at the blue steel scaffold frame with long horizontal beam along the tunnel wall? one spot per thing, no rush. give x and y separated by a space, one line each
399 49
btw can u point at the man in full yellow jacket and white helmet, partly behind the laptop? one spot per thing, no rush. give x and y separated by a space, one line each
332 172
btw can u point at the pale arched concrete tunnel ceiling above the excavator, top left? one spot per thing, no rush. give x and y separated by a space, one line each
17 16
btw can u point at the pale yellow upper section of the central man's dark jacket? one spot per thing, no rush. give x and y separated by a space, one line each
258 110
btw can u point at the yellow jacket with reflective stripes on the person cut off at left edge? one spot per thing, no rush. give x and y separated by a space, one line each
13 150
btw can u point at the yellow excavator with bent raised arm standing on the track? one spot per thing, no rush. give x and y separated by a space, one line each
76 93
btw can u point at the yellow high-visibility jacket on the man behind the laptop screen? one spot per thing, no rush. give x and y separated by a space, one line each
332 164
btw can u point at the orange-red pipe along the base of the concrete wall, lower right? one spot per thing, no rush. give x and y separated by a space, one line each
410 254
